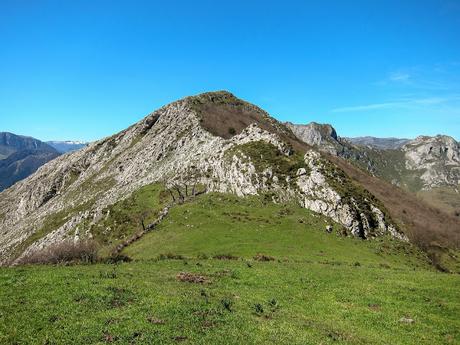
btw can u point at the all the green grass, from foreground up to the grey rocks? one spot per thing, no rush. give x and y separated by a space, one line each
197 279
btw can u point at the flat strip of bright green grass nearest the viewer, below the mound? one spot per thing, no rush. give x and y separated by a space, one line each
143 303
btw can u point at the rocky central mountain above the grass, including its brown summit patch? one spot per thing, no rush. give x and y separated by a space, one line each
213 140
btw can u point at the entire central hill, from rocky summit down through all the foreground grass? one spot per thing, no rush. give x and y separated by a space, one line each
213 223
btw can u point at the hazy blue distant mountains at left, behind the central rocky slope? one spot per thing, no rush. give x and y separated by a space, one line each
21 156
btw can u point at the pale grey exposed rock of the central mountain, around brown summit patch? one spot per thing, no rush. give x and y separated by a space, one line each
67 195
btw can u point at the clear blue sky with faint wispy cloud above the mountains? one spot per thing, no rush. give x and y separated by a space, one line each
87 69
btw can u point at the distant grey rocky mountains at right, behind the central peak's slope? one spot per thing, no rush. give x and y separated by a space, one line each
419 164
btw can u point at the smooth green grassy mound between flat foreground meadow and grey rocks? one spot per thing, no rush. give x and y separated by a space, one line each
225 224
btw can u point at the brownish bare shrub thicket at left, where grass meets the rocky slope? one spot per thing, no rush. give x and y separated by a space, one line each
64 252
